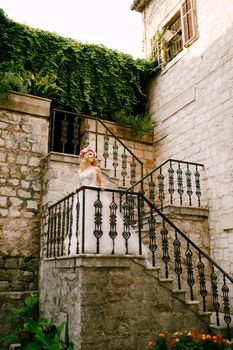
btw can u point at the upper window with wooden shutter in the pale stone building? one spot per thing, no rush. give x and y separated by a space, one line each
179 32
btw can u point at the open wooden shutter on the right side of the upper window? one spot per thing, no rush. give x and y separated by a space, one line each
188 22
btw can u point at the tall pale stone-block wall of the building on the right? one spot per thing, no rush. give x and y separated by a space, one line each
191 101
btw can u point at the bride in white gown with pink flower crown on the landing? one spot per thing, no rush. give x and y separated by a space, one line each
98 225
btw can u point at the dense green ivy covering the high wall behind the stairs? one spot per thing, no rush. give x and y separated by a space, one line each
94 80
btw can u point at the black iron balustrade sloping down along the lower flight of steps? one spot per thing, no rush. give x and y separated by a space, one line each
189 266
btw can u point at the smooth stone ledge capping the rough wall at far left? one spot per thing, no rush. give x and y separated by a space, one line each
25 103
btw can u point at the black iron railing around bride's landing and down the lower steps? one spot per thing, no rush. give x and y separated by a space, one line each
177 255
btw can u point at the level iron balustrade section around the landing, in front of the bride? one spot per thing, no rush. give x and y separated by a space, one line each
65 218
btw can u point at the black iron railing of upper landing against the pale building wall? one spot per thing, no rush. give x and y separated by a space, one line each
174 182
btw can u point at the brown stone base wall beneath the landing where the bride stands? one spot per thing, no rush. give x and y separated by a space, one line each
112 303
